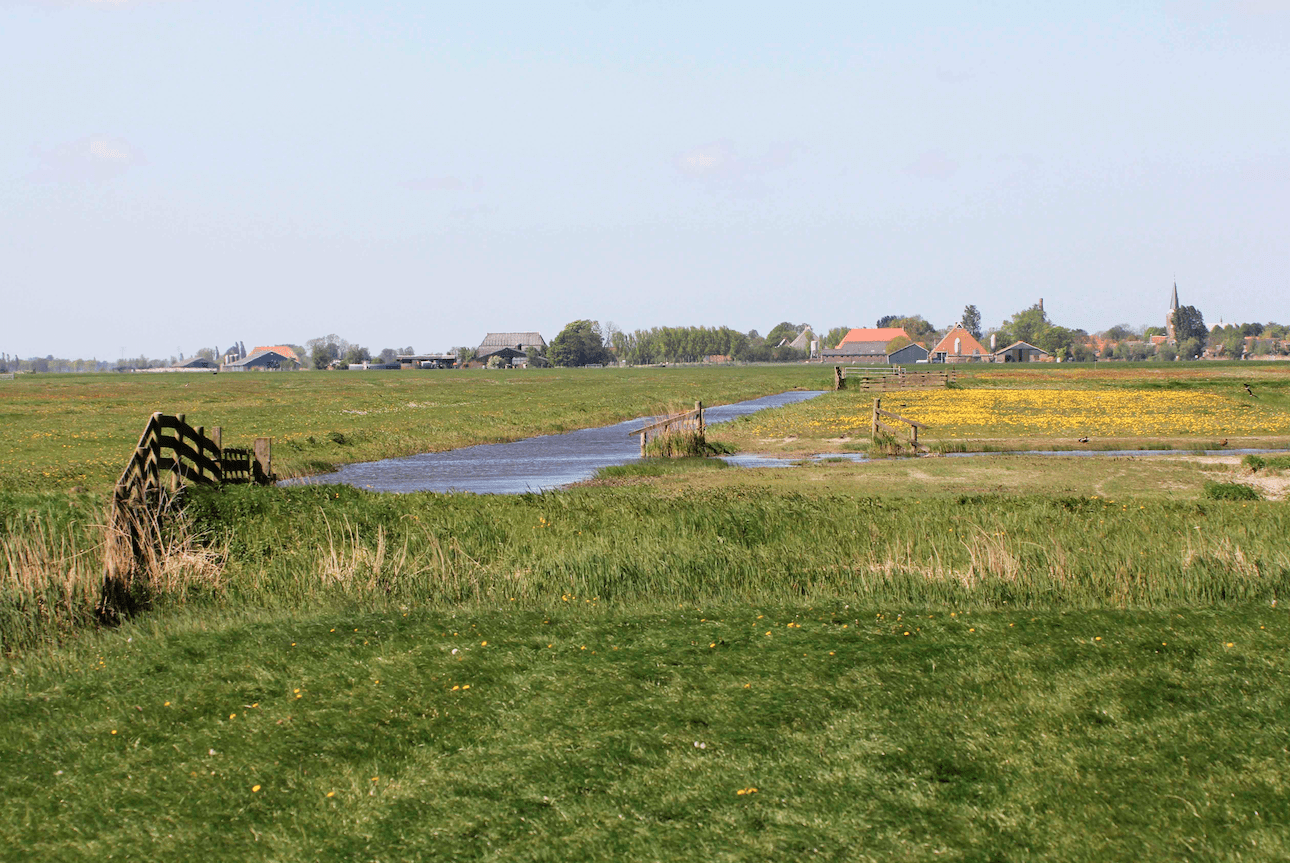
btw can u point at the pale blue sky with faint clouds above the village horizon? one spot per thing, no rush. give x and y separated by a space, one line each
179 175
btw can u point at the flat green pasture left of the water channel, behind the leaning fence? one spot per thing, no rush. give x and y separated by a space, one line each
78 430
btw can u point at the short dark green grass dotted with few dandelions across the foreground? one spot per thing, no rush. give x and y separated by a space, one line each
706 733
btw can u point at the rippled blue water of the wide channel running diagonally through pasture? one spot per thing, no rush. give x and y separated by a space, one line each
531 465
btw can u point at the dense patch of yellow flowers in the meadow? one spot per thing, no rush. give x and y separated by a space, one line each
1035 413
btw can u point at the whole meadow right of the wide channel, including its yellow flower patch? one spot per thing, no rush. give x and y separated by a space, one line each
1126 407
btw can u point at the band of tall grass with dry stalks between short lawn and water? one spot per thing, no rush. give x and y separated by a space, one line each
635 546
